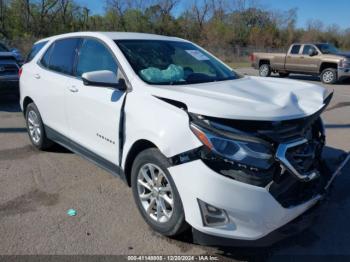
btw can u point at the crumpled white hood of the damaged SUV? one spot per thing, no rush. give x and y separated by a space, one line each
248 98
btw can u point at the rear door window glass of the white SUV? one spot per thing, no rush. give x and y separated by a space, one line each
61 55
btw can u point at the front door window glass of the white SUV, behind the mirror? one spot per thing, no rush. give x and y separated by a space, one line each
94 56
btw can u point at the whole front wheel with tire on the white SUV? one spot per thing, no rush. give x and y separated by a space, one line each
173 224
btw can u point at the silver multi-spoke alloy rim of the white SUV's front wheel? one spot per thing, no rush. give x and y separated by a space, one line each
155 193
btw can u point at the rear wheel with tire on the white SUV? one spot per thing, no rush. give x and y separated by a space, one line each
35 128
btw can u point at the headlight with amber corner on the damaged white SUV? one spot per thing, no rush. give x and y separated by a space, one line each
235 148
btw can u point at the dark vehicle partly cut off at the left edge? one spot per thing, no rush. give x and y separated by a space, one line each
10 63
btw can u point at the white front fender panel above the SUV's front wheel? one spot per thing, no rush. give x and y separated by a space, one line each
167 128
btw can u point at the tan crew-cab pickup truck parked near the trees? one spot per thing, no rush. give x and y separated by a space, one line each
320 59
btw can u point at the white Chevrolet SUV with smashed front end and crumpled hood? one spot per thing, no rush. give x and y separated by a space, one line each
234 157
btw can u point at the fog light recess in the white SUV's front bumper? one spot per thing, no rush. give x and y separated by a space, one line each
212 216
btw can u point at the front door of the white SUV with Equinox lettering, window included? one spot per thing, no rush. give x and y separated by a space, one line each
93 112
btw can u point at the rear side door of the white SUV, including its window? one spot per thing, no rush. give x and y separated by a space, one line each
50 80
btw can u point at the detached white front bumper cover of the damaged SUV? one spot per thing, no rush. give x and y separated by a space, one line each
253 212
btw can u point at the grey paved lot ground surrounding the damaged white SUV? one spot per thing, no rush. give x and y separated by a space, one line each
37 188
